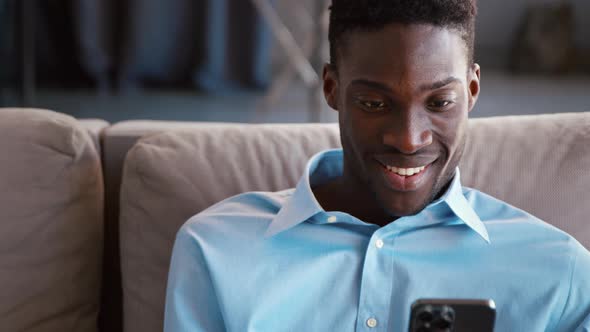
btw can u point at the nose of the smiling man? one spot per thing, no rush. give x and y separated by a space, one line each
408 132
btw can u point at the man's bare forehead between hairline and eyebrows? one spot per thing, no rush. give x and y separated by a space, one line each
409 52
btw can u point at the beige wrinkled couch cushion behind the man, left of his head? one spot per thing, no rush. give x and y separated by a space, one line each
168 178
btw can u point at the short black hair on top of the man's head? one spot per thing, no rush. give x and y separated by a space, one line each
370 15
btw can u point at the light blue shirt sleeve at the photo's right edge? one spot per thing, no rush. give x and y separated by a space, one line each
576 314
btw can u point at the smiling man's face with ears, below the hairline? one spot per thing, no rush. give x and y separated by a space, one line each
403 94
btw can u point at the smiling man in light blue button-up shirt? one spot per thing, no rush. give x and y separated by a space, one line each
372 228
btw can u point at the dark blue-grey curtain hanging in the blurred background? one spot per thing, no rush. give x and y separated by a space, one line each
213 45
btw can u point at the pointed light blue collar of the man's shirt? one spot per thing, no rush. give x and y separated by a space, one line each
328 164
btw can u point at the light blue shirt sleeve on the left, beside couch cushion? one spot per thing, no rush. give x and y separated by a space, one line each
191 302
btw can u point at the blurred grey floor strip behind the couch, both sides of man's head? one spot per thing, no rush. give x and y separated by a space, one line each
501 94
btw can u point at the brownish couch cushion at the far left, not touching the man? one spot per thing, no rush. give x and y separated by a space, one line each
51 201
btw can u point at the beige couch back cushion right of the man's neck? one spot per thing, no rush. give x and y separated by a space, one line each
539 163
